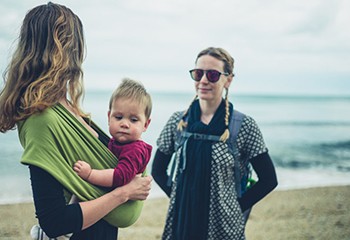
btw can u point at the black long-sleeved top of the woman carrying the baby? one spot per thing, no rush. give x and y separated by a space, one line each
57 218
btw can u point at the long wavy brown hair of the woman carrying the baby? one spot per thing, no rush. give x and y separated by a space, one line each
46 65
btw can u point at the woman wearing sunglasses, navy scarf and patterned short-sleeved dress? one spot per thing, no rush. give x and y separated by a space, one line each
203 201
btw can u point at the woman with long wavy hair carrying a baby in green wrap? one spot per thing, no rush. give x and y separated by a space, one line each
41 97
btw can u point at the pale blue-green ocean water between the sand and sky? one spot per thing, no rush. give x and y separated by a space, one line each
308 138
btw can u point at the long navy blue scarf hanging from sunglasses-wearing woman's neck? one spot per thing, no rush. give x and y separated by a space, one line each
191 210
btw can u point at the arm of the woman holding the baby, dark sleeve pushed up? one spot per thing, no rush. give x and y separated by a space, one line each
56 218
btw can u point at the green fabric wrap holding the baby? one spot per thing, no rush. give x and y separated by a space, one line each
54 140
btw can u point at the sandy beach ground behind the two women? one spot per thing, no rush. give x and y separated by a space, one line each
314 213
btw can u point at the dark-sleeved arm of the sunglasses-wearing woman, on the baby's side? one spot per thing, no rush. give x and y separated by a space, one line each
159 168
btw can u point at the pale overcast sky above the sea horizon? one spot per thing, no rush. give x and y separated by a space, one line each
279 47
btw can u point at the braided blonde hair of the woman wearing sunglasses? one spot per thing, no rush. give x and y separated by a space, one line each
222 55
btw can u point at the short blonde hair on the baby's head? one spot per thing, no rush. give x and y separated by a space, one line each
135 91
